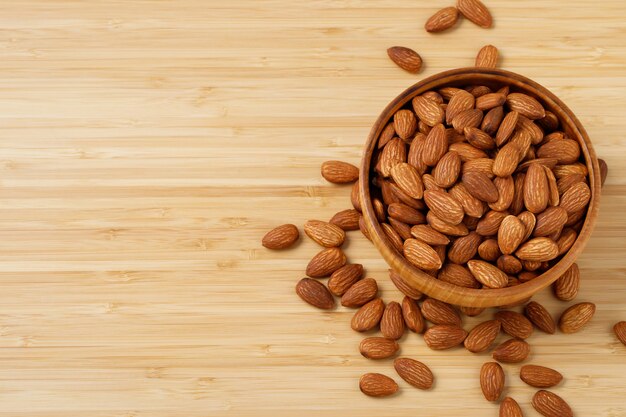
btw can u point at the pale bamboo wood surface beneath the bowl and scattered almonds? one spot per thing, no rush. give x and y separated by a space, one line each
146 147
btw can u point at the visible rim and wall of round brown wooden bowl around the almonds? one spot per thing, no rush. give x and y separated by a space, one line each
442 290
